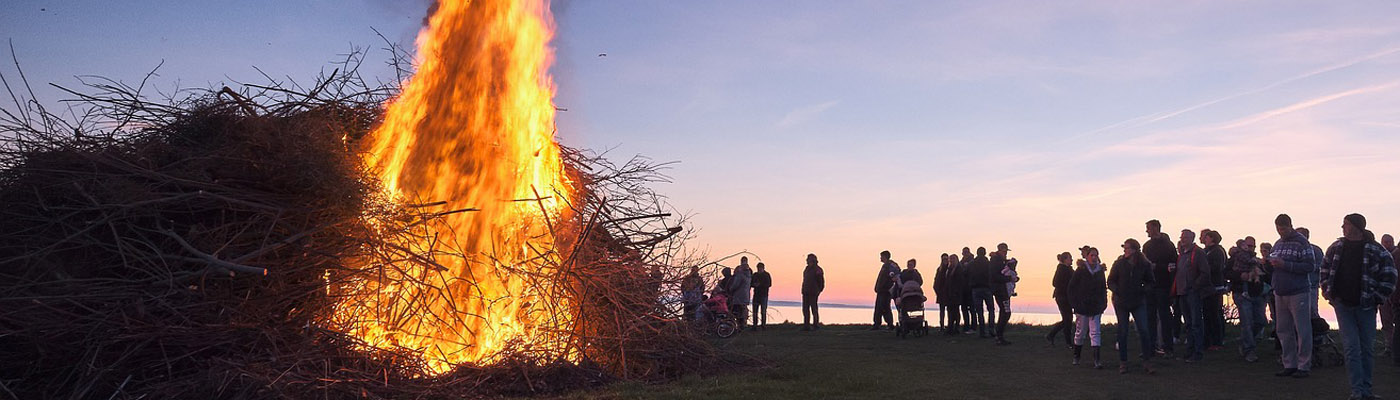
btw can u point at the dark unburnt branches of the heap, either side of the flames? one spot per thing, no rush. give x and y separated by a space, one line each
185 250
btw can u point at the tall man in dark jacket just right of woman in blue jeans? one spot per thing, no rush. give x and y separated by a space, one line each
1163 254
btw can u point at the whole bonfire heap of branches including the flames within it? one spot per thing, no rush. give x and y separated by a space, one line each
254 244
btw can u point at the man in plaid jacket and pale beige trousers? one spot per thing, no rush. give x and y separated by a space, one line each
1294 262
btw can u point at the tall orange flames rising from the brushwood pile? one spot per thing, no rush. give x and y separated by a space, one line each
474 128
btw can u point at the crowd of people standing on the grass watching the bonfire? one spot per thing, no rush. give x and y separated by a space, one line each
1171 294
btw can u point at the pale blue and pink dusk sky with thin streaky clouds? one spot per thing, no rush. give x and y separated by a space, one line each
849 128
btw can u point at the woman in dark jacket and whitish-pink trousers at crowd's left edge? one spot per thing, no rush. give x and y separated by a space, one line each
1088 297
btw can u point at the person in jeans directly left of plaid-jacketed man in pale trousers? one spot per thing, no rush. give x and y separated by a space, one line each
1247 283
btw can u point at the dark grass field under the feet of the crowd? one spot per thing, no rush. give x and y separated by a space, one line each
855 363
